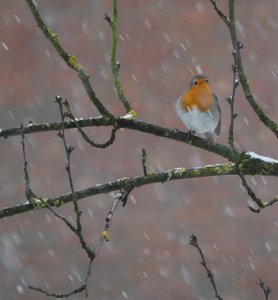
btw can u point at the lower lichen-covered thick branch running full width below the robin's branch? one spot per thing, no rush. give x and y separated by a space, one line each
248 166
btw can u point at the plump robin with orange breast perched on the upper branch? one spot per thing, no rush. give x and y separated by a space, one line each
199 109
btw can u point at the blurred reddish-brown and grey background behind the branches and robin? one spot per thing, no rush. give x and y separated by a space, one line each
162 44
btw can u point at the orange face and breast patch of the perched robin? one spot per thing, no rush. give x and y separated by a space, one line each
197 96
